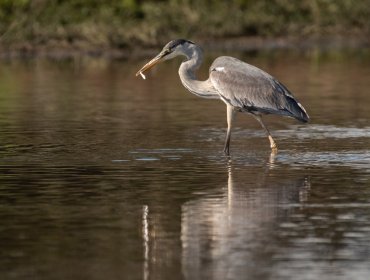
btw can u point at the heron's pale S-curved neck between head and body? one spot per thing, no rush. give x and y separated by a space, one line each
187 74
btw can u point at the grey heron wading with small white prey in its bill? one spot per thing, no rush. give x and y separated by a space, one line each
241 86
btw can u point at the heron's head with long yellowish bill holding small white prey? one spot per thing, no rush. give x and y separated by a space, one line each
170 50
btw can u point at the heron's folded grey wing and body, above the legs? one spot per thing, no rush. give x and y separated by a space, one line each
248 88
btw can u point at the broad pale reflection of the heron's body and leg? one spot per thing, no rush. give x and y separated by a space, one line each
232 231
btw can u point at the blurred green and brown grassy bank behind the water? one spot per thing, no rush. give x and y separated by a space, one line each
94 25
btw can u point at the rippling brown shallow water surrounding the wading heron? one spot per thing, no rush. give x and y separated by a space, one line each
106 176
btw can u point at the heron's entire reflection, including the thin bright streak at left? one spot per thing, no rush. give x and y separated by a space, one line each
227 235
